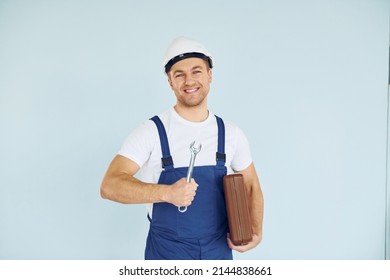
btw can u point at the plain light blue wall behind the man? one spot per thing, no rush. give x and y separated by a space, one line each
306 80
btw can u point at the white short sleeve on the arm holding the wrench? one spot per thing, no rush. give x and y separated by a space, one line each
139 144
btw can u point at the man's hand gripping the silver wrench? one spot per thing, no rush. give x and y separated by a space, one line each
181 193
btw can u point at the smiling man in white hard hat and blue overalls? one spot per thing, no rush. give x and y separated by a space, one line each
159 148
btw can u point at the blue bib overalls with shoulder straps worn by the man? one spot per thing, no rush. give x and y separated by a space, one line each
200 232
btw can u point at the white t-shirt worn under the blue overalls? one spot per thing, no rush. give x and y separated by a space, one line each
143 145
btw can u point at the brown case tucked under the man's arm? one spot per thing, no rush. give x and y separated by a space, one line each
240 225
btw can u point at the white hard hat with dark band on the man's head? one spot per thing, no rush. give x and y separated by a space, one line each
182 48
